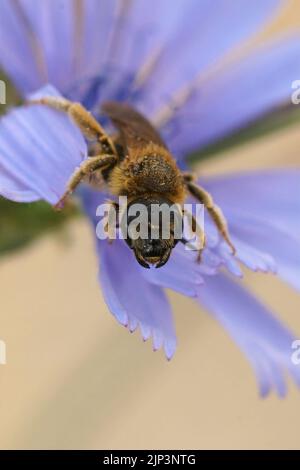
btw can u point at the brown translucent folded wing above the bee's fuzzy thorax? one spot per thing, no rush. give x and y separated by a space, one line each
135 130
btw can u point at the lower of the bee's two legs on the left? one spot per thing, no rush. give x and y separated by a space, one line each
87 167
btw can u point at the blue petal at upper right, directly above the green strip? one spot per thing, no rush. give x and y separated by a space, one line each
233 97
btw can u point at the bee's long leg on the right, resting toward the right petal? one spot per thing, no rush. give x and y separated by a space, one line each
215 212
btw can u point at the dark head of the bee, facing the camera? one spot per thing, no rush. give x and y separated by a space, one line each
151 229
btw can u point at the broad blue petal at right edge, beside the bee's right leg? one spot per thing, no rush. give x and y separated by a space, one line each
262 209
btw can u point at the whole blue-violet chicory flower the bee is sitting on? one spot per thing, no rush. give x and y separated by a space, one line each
178 63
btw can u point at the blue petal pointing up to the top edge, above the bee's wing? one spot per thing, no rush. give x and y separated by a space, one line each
139 32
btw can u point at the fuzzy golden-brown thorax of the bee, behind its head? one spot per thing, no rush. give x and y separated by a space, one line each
152 172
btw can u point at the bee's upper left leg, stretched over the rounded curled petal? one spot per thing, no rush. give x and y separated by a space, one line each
83 119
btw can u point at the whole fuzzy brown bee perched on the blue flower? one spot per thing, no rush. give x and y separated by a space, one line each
136 163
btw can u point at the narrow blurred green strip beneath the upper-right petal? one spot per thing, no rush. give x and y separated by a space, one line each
272 122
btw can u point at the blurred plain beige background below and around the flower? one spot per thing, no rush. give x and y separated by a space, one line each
76 379
